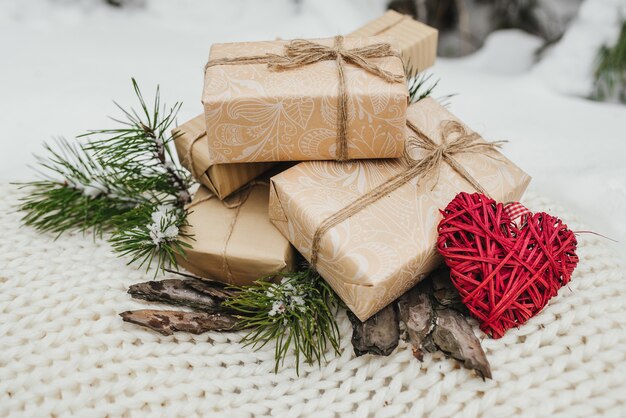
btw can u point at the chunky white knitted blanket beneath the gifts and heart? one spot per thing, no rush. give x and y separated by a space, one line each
65 351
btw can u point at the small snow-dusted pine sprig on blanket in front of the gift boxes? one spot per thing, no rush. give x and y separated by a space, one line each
296 311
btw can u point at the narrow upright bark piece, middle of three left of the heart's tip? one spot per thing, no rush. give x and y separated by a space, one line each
416 311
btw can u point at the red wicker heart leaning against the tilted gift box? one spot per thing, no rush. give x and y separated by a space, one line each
505 273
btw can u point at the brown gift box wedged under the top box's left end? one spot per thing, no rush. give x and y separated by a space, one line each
221 179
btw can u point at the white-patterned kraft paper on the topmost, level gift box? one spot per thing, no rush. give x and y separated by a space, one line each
257 114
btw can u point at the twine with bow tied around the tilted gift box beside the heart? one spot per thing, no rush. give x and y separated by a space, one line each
454 140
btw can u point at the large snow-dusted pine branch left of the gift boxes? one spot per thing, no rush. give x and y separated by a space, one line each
123 180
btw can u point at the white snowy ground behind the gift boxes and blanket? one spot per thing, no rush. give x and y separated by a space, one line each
64 61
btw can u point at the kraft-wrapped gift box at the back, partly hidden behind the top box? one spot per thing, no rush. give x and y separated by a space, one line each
416 41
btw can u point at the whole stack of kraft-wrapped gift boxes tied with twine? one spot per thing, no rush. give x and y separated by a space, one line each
338 110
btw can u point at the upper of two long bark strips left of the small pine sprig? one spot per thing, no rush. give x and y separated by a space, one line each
179 292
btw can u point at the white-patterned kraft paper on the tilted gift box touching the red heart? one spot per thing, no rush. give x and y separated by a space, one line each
379 253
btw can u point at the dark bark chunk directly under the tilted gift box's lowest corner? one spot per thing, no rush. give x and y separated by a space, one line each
378 335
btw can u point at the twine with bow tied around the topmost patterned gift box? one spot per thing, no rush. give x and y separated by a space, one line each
301 52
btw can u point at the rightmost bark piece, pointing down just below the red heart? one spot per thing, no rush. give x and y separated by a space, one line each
455 337
